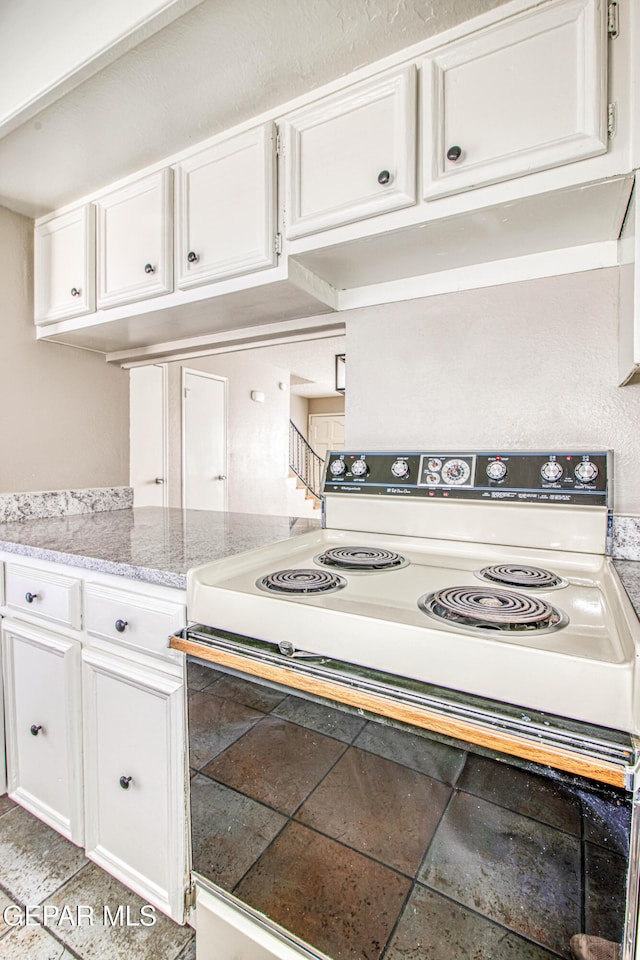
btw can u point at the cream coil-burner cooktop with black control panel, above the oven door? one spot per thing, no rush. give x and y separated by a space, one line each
483 573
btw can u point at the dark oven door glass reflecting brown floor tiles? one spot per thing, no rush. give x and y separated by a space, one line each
371 842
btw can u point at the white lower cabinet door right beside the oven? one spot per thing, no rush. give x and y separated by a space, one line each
135 778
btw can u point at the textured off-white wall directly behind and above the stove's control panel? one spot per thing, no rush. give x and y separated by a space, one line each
528 366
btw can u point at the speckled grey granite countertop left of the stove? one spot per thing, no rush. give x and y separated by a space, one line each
147 543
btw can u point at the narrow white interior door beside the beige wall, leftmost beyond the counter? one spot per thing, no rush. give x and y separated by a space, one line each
148 435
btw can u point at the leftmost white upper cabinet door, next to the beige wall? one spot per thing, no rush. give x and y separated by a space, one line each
64 266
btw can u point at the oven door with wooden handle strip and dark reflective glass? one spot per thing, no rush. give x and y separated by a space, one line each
325 828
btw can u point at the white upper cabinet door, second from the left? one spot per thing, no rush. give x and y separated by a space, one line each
135 241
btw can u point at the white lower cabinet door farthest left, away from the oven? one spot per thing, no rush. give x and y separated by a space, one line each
44 737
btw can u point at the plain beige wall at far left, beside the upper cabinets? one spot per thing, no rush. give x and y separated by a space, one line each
65 412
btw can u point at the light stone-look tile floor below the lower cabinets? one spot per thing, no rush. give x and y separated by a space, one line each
39 868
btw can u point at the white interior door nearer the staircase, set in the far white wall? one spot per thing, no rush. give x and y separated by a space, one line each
204 441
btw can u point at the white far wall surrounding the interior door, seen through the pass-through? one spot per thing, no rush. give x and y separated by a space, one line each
257 433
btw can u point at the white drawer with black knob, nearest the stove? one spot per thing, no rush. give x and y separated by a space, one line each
134 620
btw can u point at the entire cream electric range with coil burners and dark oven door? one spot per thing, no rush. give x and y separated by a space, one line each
457 611
